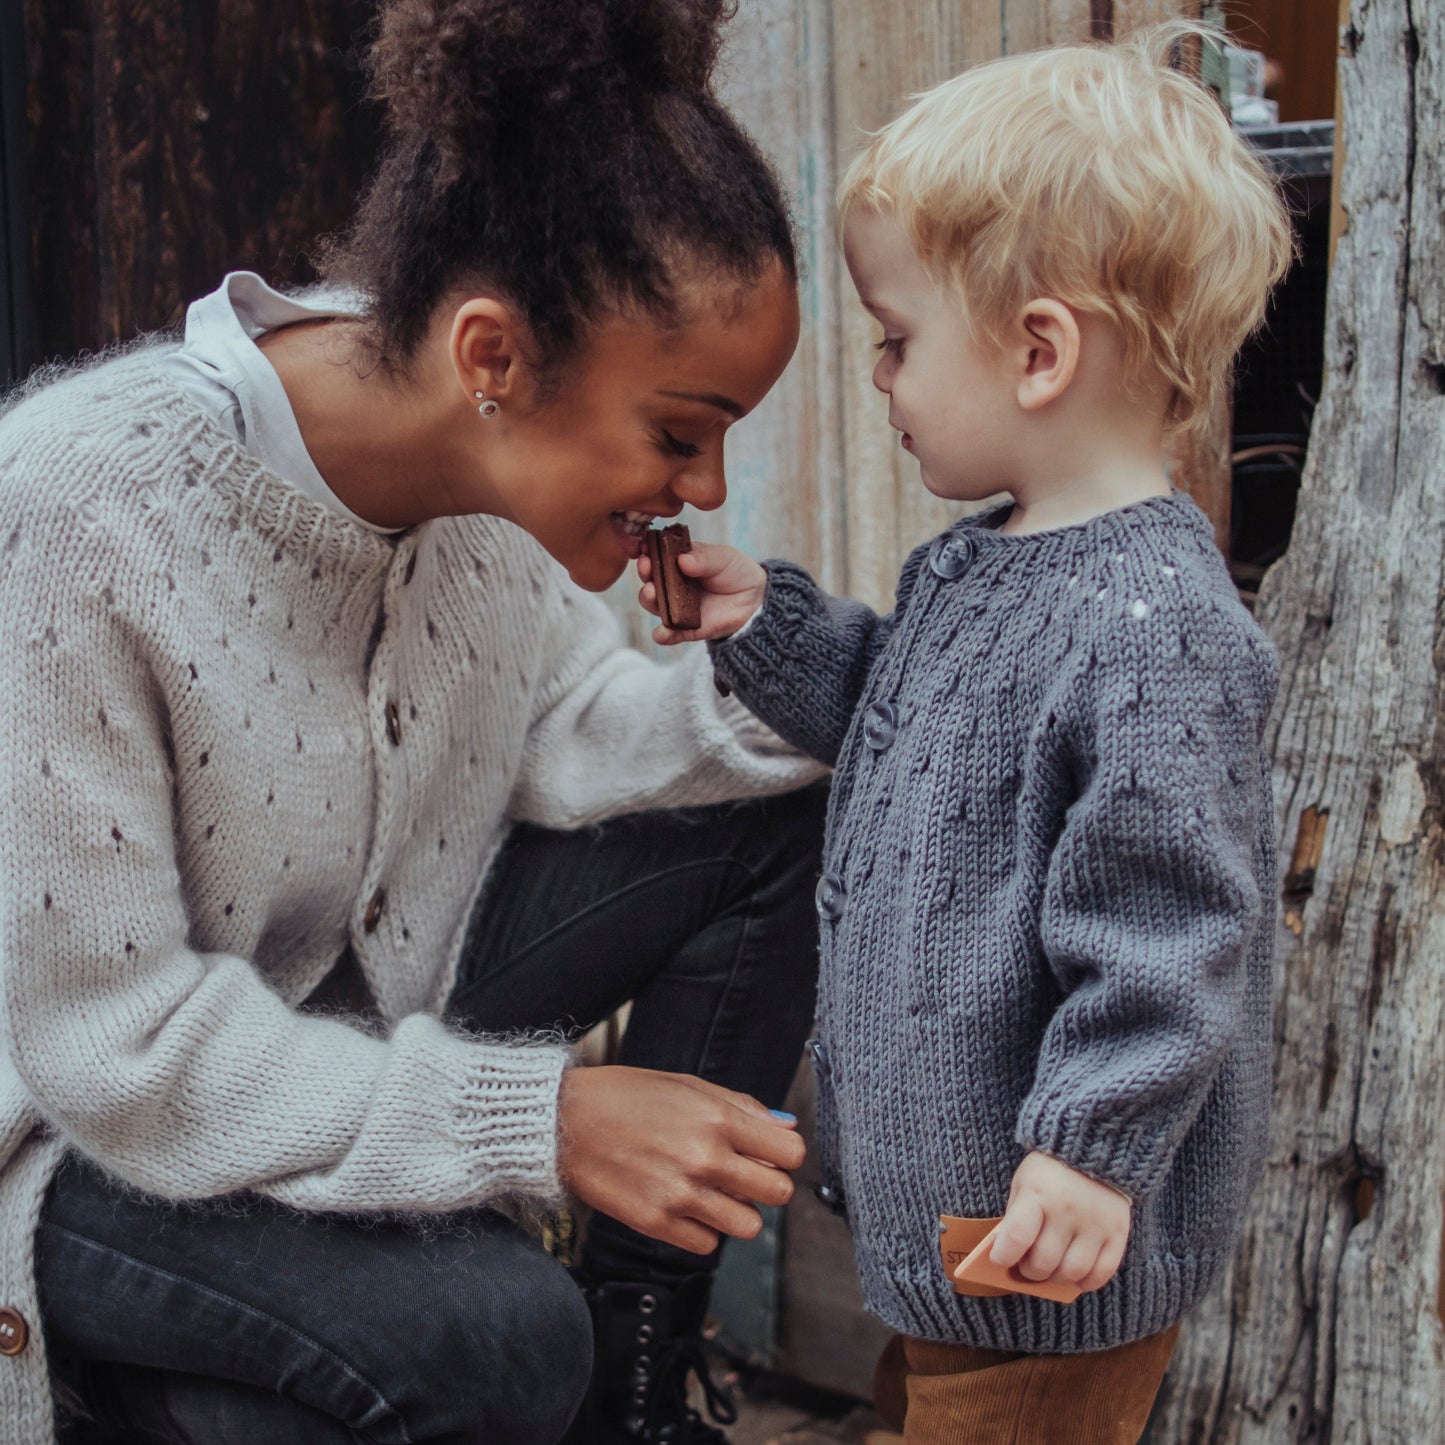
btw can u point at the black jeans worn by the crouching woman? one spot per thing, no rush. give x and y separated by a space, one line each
252 1324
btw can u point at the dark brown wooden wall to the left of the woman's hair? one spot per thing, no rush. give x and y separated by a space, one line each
173 142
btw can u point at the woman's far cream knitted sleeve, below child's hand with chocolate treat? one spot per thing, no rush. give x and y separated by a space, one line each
615 732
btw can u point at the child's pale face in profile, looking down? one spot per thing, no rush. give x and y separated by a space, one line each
950 397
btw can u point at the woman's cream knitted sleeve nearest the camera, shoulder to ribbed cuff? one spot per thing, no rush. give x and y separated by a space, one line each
178 1070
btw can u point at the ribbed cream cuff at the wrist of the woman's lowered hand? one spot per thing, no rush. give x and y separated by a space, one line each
506 1121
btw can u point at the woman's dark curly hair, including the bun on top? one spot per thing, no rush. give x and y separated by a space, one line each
569 154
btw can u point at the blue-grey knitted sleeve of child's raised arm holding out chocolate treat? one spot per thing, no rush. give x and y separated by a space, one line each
804 661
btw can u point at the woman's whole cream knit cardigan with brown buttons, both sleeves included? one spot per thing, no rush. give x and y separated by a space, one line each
239 733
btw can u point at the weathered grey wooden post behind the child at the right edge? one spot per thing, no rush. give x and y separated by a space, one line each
1329 1327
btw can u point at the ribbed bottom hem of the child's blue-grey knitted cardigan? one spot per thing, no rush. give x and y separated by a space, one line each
1145 1297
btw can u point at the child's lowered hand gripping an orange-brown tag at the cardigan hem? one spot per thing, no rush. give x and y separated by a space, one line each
1063 1226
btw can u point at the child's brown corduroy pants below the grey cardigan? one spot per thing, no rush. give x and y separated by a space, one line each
957 1395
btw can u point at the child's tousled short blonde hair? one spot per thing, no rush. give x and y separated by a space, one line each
1100 177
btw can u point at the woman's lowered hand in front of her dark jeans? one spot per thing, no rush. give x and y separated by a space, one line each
674 1157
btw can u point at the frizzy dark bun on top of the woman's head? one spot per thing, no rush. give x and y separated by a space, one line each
460 72
